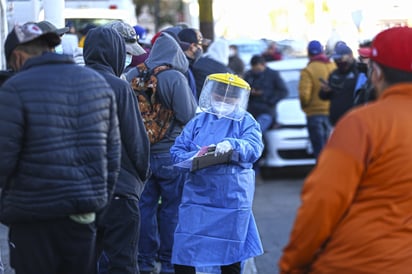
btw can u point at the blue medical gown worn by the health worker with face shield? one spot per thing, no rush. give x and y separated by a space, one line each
216 224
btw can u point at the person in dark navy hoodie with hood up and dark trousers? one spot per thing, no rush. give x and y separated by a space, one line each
118 226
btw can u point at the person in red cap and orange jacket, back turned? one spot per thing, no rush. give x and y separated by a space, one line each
355 215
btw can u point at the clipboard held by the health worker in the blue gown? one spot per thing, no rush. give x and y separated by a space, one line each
209 159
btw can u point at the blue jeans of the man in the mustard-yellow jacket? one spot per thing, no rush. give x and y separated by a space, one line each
319 129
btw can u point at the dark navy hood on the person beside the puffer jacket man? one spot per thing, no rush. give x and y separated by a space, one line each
104 46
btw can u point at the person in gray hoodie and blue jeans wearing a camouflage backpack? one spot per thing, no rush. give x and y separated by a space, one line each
168 62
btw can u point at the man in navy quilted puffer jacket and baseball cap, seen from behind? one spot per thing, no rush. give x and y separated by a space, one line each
59 154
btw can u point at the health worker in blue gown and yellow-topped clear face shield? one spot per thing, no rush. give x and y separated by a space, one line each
216 226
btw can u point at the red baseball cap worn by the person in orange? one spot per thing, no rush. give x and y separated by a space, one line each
393 48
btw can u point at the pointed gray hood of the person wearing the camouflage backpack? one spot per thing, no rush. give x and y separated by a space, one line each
166 51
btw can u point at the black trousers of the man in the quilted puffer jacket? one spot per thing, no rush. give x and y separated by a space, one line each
59 246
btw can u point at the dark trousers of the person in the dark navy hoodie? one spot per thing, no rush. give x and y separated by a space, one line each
117 237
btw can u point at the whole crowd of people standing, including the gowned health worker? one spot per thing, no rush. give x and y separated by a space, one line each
91 172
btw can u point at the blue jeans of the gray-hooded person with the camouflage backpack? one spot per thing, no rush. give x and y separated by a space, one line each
159 205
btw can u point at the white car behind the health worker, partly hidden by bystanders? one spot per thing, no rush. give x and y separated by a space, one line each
288 145
